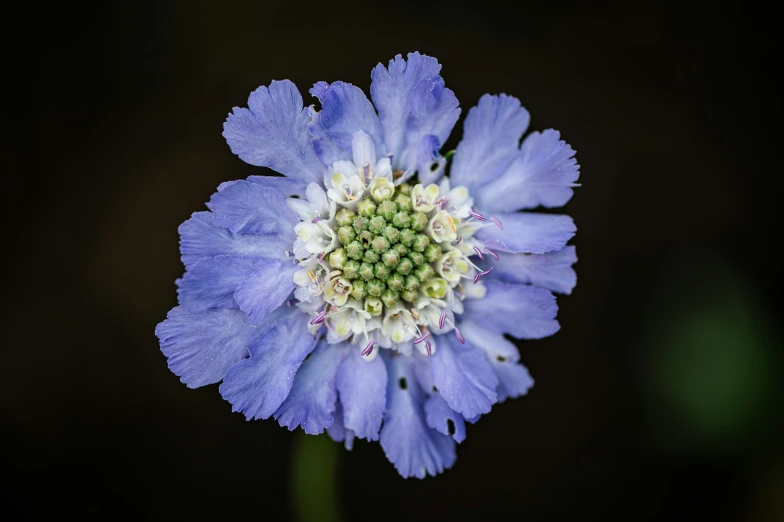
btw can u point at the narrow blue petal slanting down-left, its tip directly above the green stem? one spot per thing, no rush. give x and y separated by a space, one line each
311 402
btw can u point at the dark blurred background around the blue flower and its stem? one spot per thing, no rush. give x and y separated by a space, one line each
660 399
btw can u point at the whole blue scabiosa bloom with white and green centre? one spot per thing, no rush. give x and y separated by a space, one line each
365 292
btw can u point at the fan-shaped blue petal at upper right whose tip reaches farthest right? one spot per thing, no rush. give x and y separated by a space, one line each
542 174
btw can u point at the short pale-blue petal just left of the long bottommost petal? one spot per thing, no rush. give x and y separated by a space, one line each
363 394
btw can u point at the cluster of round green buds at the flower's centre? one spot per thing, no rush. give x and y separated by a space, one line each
384 253
